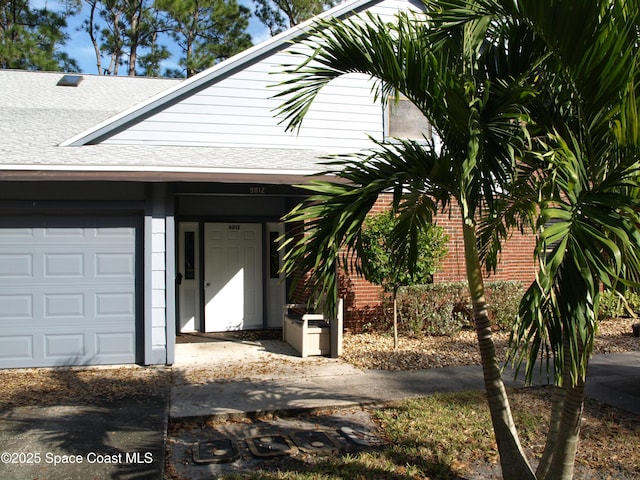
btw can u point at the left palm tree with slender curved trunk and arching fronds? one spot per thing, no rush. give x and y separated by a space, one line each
472 96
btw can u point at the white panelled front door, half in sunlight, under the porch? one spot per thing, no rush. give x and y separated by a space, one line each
233 276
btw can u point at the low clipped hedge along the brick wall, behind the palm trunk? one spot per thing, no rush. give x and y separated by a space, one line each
444 308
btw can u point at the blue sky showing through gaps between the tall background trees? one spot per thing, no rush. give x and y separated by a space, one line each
80 48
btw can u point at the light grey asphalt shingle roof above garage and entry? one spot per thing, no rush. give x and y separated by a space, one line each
36 116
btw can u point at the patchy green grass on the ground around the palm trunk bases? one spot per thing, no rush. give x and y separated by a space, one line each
440 436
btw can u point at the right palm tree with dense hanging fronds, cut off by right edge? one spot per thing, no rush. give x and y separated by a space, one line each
586 177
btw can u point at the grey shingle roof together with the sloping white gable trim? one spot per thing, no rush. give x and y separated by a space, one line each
40 123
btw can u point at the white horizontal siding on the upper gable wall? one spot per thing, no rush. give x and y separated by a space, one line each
238 110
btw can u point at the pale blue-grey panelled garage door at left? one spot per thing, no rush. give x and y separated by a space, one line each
67 291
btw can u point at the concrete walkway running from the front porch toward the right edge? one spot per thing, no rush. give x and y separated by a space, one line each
315 383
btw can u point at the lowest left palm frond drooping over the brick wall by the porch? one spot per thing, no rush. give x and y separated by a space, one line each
331 217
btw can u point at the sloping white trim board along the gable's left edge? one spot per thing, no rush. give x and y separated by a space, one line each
215 74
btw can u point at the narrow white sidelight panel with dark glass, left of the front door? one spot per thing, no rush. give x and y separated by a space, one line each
189 276
